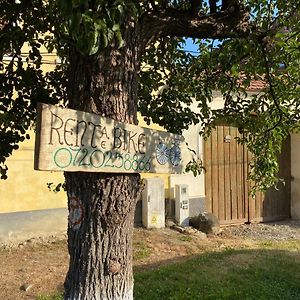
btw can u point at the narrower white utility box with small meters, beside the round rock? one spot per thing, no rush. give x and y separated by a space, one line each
182 204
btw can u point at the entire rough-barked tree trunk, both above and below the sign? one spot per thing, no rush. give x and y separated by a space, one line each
101 205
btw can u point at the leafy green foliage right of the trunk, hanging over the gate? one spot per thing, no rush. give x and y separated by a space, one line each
265 118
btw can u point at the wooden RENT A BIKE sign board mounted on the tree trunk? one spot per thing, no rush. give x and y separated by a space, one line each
71 140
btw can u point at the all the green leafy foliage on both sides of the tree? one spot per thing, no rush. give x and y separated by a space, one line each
264 46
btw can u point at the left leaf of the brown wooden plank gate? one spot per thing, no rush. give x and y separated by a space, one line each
224 178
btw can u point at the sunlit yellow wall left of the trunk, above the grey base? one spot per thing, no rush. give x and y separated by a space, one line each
26 189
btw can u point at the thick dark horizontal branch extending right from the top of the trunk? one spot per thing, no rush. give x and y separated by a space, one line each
172 22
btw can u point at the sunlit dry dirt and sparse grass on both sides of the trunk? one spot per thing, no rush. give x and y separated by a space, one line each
43 265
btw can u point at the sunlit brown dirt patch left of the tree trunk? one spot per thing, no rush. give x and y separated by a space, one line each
43 266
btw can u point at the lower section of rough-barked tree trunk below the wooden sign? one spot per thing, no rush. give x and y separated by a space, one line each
101 213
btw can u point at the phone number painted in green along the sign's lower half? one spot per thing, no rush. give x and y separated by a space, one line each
96 158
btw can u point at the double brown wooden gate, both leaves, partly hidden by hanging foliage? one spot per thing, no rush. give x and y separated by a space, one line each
227 187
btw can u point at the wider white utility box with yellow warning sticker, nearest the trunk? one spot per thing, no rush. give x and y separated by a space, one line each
153 203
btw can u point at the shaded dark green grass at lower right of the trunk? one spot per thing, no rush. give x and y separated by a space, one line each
231 274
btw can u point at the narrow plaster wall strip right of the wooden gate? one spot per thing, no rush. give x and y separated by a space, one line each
295 173
